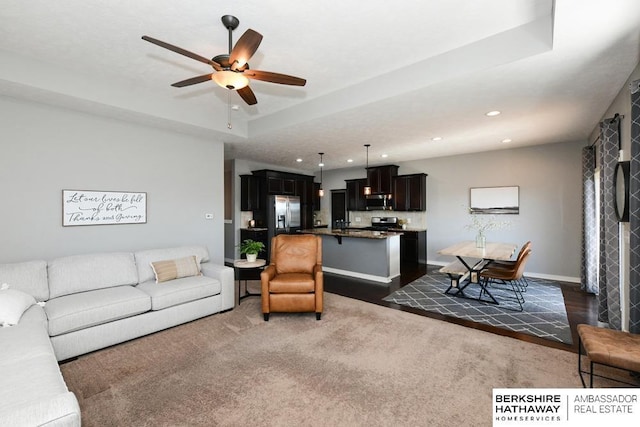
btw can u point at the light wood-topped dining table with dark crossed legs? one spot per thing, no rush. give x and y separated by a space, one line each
470 261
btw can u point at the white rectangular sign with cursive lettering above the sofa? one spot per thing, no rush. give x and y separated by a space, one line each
85 207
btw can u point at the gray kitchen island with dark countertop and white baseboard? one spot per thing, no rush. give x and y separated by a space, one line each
365 254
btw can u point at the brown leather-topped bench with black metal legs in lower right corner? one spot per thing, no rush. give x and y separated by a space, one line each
616 349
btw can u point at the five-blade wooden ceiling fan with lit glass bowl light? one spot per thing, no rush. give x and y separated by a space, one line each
232 70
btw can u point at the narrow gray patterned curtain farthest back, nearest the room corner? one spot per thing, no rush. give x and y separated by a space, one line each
589 267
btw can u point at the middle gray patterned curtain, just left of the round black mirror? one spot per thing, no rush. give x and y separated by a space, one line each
609 278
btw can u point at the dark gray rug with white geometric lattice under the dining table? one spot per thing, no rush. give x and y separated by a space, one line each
543 315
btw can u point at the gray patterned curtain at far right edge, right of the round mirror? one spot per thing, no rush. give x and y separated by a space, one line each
634 211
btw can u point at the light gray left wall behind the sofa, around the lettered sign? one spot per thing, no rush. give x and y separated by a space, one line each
45 149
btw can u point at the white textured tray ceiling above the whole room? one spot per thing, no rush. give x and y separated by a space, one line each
390 74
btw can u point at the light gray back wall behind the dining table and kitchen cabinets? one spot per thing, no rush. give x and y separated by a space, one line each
550 216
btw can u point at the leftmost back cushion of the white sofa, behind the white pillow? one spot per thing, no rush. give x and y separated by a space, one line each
29 277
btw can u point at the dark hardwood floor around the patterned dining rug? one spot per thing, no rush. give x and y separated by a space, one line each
581 307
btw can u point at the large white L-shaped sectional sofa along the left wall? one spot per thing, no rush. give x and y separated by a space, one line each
92 302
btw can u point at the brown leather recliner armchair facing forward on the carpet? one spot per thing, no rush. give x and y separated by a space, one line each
293 280
